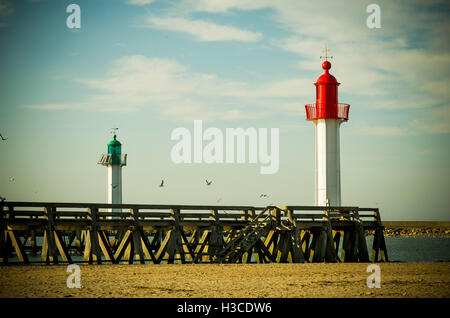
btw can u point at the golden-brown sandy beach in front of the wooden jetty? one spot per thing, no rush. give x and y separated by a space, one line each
231 281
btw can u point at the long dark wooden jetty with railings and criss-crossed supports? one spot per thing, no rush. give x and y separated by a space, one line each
184 234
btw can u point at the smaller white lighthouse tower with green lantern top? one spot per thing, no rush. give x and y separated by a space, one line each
114 160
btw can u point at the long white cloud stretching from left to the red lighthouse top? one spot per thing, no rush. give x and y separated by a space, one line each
173 91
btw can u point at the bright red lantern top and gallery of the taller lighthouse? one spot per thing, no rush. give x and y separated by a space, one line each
327 106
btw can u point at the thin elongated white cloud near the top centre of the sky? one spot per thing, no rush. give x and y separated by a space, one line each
204 31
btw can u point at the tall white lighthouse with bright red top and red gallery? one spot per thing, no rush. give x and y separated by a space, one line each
327 115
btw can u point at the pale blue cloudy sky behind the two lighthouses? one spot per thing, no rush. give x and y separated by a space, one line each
149 67
